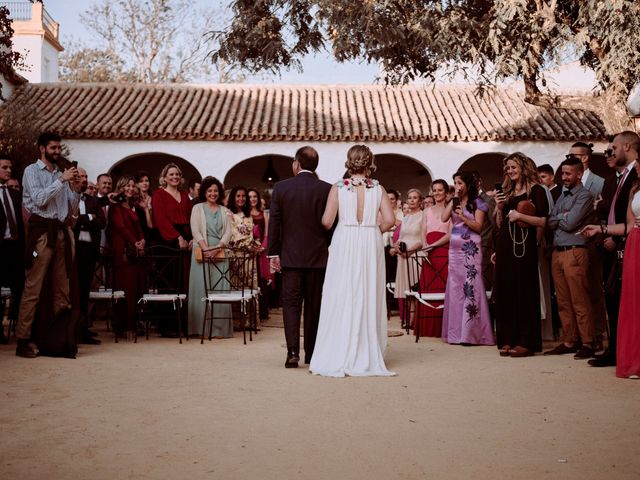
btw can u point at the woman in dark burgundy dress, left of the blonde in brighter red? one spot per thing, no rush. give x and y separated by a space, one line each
127 242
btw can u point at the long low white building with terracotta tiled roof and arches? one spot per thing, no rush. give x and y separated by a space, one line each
418 133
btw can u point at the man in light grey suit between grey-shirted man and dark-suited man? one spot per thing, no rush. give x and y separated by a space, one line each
594 183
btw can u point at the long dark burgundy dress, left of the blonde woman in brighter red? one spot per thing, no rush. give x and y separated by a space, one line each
128 275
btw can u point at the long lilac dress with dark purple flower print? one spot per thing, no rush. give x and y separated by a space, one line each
466 317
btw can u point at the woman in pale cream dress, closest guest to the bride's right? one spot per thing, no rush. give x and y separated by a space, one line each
408 242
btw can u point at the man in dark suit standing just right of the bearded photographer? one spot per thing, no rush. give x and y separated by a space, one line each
87 232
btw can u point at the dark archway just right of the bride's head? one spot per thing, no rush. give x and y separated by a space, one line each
400 172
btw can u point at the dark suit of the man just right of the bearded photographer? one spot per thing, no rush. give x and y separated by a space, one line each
88 252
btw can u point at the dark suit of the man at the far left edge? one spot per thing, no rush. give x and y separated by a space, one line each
12 252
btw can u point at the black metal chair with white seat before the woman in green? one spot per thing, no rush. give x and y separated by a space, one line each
231 280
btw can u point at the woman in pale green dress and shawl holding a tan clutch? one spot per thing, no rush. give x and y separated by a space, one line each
211 227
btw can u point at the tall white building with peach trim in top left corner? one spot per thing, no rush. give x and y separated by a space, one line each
36 37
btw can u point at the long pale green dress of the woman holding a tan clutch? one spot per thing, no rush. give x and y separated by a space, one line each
222 322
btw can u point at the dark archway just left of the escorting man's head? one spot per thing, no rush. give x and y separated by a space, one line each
252 172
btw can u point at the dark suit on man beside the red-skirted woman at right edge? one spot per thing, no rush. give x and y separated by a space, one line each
612 297
